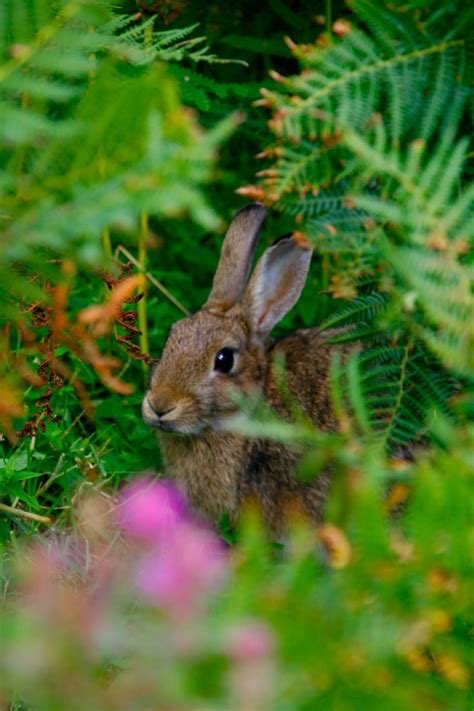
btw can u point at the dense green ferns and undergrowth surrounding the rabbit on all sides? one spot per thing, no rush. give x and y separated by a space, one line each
125 135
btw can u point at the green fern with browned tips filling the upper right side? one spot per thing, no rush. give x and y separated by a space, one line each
370 159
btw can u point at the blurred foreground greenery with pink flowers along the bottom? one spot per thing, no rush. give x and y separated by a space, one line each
366 614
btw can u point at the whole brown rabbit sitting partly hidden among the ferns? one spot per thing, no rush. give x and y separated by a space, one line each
227 345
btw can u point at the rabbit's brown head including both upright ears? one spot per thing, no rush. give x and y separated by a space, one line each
223 347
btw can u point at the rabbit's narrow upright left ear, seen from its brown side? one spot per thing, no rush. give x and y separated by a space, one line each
236 258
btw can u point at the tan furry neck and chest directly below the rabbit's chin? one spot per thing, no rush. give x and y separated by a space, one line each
207 468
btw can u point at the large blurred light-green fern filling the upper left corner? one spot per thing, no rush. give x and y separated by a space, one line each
69 173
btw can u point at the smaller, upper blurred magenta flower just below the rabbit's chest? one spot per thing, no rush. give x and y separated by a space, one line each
150 509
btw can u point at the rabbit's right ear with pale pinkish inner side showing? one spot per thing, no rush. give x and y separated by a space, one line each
276 283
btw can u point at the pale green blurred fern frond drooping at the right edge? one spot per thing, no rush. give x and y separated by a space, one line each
436 221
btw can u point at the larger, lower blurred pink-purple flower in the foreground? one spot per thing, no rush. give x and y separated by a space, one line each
178 574
